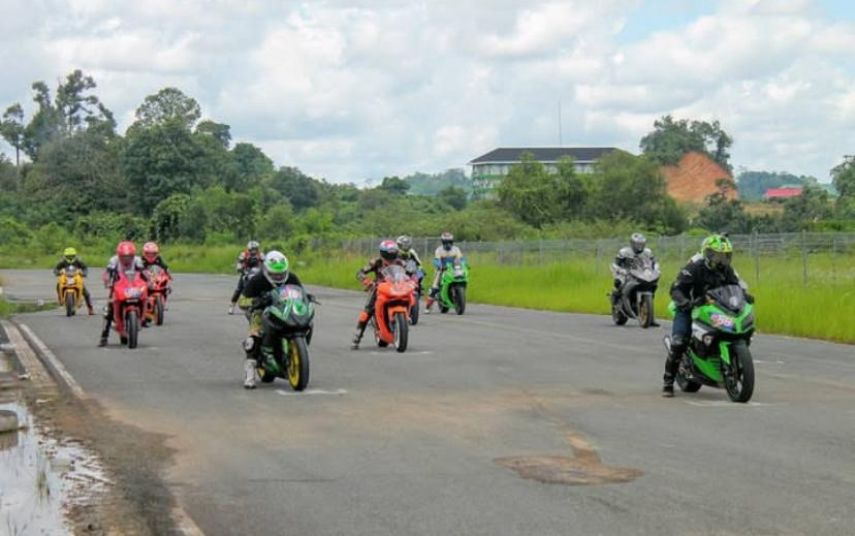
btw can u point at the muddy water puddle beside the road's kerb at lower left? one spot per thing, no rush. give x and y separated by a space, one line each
41 479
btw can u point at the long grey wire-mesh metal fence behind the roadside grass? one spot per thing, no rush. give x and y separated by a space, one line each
819 255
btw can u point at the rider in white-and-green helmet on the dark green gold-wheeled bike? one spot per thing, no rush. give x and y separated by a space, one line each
255 297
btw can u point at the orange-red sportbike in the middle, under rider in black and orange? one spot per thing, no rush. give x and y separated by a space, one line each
395 297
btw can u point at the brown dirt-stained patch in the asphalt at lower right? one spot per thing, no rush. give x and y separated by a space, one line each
584 468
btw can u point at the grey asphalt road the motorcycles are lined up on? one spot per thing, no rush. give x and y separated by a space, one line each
419 443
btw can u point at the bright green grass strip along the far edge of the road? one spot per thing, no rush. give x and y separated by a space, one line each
823 308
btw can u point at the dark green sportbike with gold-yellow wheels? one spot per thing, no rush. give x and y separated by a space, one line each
289 319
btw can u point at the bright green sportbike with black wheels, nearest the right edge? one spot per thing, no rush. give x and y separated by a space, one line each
718 352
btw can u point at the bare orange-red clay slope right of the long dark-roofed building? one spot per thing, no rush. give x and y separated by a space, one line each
695 177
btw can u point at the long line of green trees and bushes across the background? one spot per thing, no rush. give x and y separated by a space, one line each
175 176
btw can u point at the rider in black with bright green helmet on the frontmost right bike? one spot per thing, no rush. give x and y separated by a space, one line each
708 270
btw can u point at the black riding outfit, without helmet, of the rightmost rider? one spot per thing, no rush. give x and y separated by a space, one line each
690 287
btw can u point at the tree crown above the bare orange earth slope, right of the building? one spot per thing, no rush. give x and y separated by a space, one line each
671 140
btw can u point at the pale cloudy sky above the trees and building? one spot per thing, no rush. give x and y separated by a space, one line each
358 89
